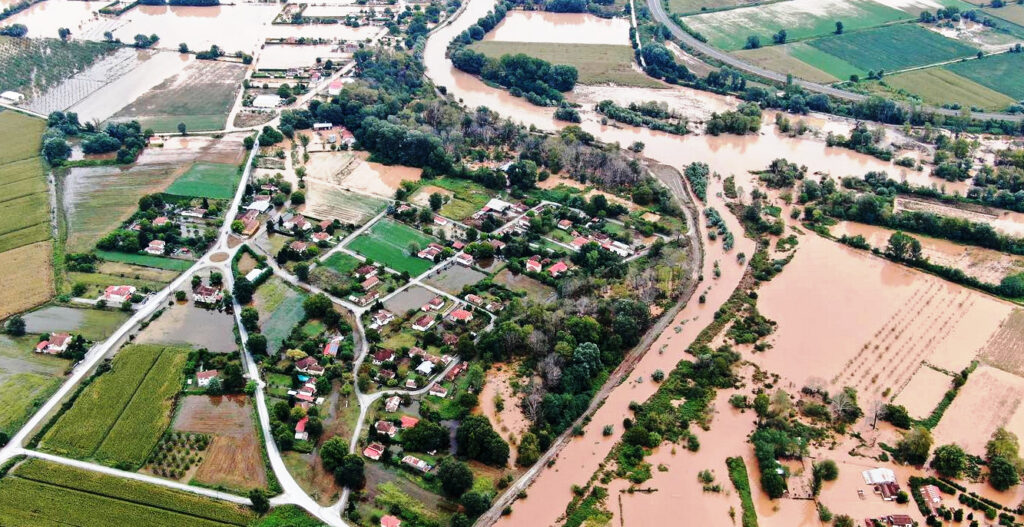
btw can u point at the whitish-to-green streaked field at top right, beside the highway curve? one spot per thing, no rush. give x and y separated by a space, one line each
801 19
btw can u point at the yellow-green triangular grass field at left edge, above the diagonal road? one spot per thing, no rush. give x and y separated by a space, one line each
26 378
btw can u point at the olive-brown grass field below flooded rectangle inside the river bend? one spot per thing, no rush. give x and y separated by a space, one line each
598 64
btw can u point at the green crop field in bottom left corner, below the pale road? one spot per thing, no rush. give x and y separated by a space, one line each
39 494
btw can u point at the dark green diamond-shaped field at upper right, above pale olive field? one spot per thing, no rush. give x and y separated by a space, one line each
893 48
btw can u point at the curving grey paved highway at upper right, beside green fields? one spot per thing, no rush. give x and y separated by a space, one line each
658 11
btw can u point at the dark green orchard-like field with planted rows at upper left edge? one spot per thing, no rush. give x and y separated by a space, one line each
33 66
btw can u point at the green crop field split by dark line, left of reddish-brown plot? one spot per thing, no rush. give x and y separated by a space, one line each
120 417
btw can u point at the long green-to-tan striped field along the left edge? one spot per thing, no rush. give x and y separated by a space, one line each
25 225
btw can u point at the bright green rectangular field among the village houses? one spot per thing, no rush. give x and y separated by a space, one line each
388 242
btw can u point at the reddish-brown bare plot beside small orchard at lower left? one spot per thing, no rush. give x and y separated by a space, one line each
234 459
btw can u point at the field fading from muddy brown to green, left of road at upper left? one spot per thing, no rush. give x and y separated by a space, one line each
177 100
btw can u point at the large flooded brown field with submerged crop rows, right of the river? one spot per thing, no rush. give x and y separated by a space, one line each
878 323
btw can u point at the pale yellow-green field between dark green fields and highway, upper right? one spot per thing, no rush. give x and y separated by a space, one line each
940 86
